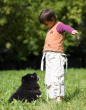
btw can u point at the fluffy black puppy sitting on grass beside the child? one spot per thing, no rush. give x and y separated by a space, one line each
29 89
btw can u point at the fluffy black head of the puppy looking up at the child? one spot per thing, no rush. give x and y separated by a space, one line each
30 78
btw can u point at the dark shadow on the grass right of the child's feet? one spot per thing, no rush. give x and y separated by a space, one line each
71 96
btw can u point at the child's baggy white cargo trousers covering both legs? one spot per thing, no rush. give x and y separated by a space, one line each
54 78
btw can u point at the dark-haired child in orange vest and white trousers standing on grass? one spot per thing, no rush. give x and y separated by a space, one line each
53 52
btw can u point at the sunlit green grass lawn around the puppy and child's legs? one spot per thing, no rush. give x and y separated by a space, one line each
75 91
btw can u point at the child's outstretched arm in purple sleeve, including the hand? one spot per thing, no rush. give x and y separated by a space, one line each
63 27
